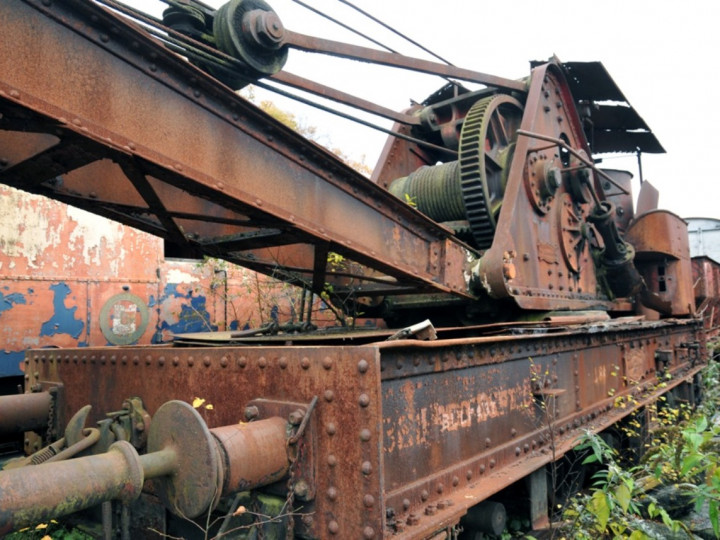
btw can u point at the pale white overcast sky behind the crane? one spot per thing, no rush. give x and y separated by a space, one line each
660 53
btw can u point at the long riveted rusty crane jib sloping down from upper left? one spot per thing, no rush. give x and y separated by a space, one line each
165 168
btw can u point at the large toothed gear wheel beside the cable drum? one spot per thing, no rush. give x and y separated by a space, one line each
487 140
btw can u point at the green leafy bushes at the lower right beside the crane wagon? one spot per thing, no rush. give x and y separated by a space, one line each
682 455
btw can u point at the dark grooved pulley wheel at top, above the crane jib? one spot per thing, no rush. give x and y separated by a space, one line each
249 30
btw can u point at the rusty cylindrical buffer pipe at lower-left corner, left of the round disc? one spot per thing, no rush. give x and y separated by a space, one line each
31 495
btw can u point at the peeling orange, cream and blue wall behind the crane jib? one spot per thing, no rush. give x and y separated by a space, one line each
56 290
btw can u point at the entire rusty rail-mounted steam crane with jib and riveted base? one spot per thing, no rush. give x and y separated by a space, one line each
548 296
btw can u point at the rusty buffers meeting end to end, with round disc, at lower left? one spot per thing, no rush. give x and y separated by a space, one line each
191 467
